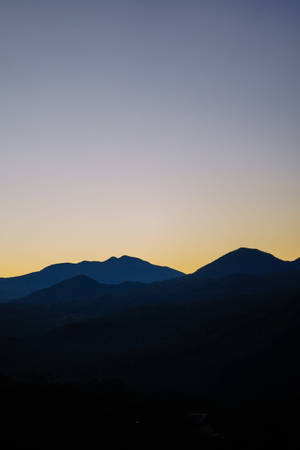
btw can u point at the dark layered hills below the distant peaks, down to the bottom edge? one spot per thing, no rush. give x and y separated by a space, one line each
225 346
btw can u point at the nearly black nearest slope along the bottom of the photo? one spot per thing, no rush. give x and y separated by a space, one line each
45 413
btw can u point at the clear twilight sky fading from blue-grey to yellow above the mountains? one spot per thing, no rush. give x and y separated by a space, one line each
164 129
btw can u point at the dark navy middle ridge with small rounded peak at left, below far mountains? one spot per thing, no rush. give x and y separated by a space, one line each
82 298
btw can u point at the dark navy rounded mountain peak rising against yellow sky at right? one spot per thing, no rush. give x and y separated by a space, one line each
246 261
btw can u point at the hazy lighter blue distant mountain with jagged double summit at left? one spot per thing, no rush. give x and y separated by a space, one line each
112 271
